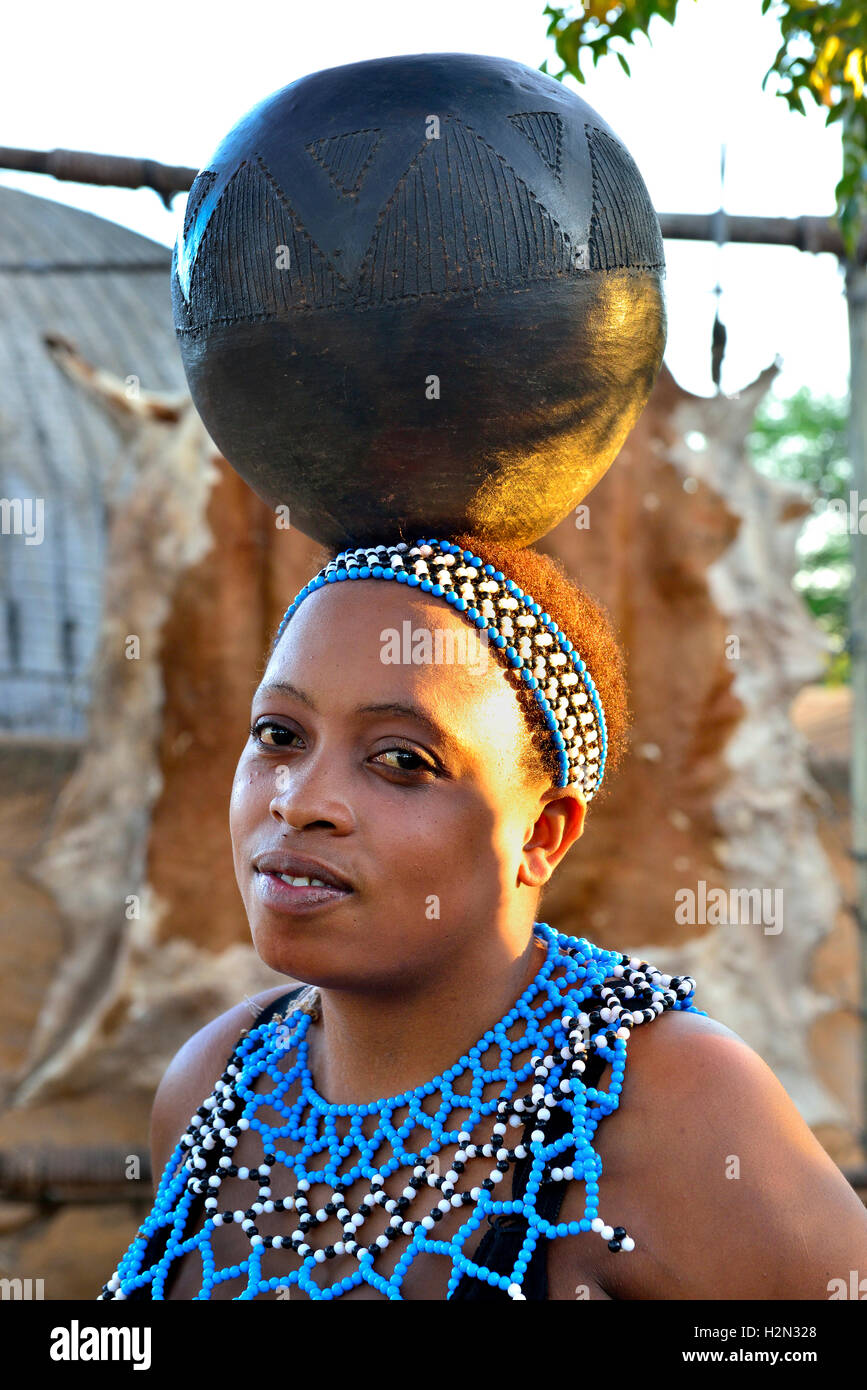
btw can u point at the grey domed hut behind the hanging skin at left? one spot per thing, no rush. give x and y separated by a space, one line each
108 291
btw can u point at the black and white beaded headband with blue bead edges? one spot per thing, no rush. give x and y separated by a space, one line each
545 658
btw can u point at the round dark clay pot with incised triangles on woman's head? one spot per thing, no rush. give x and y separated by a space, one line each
420 294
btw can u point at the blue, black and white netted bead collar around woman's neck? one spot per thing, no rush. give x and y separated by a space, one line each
584 1000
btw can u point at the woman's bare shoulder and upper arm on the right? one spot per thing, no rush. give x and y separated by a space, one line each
719 1178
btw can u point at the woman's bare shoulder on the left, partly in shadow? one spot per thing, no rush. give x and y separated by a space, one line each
194 1072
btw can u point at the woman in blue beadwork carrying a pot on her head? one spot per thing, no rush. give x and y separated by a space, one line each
422 1122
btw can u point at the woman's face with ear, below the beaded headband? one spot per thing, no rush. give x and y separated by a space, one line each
402 780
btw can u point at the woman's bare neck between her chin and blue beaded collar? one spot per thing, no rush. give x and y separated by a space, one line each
365 1049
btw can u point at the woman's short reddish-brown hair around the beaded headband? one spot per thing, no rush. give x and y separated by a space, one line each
587 625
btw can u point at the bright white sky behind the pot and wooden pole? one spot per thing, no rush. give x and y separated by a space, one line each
169 84
